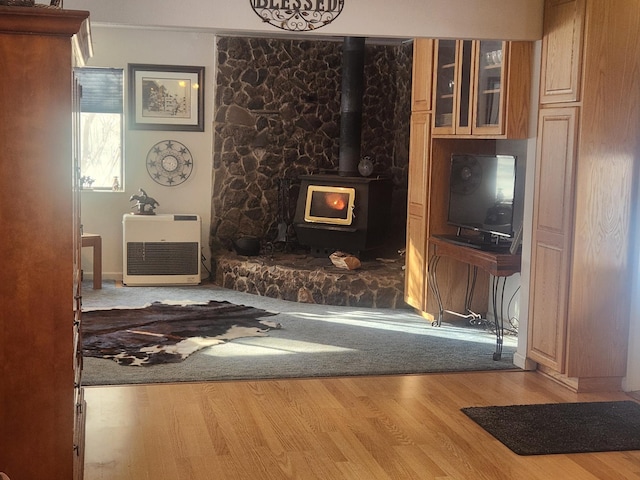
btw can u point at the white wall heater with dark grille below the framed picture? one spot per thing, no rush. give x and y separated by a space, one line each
161 249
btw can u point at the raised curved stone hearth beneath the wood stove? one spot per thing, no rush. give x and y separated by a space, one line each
307 279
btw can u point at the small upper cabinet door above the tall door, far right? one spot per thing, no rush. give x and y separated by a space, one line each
562 51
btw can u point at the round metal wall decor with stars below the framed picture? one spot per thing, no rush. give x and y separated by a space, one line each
169 163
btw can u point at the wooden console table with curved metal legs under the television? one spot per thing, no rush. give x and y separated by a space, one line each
498 264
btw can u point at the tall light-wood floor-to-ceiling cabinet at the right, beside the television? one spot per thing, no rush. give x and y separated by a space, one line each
587 159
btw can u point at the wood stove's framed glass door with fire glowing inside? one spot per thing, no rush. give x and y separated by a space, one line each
331 205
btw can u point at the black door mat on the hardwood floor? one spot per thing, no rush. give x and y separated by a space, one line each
545 429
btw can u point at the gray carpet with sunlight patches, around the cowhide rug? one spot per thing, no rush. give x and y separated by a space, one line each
315 340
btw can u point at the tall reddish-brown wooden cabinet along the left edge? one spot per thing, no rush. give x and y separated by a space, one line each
41 406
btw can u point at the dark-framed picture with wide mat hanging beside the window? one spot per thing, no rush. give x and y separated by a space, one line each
165 97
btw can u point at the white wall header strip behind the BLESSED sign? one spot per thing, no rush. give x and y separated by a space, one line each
479 19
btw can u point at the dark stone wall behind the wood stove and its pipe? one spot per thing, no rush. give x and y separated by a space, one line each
277 116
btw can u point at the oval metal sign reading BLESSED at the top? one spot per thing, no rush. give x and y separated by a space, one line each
298 15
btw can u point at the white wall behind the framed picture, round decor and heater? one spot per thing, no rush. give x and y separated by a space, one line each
102 211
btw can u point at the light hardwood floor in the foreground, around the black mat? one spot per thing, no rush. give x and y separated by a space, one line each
391 427
